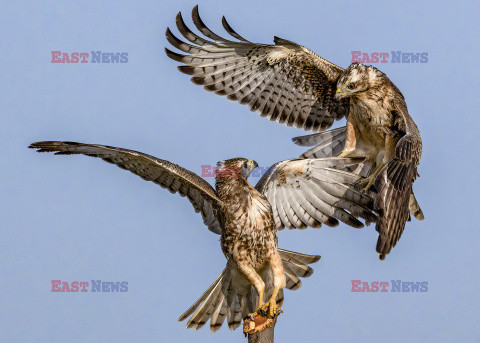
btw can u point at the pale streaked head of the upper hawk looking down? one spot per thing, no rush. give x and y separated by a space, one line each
356 79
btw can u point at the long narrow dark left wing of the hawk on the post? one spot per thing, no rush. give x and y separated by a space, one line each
166 174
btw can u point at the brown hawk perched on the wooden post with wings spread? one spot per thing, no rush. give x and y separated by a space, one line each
293 193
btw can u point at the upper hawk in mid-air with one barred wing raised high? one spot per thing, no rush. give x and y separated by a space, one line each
290 84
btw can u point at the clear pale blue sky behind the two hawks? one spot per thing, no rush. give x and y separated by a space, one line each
80 219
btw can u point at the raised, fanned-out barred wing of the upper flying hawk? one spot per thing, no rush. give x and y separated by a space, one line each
285 82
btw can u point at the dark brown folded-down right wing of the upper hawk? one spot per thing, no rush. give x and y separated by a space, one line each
394 184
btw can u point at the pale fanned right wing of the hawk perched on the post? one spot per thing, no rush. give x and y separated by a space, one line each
310 192
